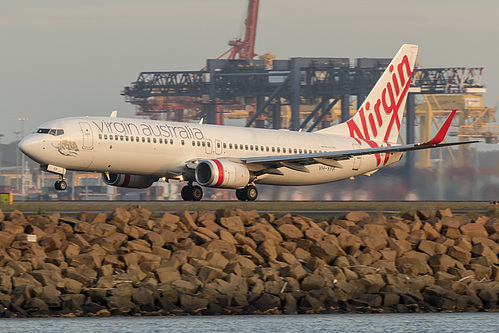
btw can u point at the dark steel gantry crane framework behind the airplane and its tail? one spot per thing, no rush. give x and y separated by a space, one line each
292 82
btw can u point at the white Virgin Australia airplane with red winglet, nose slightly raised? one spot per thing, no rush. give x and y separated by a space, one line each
135 153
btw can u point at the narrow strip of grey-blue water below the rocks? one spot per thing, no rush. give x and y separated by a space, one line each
435 322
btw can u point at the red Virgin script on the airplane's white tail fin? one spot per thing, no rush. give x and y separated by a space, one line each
392 96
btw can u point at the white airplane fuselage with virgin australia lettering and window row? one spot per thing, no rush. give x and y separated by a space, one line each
162 149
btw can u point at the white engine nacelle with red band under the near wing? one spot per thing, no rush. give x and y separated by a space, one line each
222 173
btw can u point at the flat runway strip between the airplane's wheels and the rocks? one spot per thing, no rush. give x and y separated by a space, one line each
307 208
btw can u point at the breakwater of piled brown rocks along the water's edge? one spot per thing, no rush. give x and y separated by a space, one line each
236 262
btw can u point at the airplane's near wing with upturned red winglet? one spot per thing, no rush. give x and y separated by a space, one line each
299 161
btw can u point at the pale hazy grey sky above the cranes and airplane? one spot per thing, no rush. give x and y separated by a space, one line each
66 58
